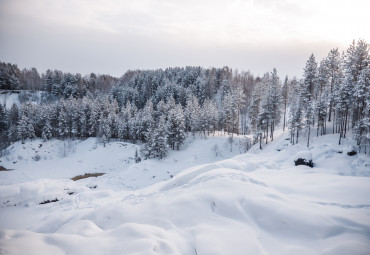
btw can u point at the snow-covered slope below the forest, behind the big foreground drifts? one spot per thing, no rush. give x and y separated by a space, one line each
35 159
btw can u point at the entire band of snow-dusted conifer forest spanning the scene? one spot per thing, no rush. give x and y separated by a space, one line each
159 108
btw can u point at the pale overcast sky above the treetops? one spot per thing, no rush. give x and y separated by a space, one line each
113 36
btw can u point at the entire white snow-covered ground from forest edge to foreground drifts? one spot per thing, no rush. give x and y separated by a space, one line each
254 203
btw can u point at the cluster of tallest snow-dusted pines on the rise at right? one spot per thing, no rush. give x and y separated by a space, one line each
335 92
